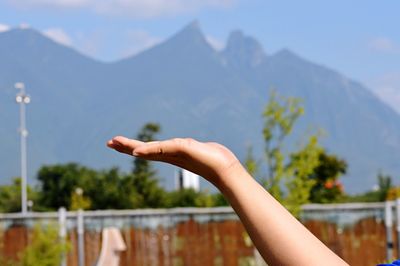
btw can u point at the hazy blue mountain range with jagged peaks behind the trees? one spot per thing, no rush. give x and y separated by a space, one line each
192 90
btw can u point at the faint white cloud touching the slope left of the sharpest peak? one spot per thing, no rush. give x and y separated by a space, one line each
138 41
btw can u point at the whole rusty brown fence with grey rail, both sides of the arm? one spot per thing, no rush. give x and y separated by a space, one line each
362 234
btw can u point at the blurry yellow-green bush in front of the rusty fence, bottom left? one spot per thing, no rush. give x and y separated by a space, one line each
46 249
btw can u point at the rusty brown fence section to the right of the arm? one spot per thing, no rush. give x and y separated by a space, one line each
361 233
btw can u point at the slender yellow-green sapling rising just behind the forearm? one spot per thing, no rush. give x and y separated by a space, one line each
280 115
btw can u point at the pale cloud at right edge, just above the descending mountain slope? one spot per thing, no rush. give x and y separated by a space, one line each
387 87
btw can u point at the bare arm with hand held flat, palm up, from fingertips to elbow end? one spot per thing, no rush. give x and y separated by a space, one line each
278 236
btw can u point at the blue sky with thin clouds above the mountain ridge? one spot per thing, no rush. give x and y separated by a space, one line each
360 39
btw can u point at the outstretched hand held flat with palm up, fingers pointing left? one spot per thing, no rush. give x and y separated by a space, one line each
209 160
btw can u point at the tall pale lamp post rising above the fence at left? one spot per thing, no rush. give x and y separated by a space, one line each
22 99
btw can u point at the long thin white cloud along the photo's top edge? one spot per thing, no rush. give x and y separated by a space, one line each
134 8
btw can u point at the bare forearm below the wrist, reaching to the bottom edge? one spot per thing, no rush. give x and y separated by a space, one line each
279 237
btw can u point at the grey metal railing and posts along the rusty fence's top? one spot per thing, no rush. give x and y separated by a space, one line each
388 211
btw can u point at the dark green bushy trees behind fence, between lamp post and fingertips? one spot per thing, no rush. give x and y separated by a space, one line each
107 189
